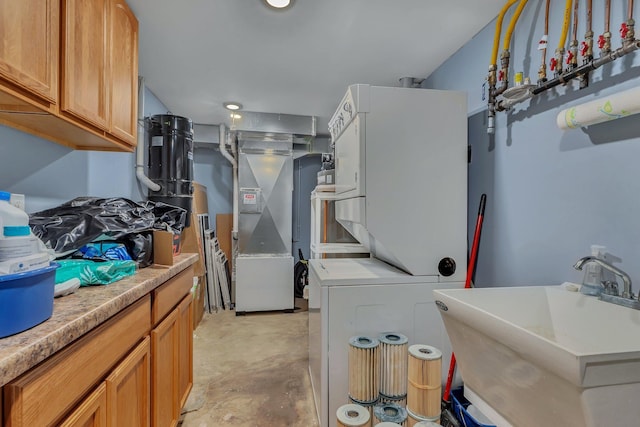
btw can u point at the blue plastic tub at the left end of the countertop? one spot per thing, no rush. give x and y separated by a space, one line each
26 299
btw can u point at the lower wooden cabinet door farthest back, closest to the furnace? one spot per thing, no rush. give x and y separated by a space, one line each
185 352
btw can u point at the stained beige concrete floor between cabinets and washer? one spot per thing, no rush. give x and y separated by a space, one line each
251 370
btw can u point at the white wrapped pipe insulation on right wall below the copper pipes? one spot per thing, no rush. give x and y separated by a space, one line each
600 110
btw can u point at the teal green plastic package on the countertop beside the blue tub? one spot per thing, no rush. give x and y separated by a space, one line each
94 273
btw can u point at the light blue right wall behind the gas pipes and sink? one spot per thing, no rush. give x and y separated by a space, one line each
551 193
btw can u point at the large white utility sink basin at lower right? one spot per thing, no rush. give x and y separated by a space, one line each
545 356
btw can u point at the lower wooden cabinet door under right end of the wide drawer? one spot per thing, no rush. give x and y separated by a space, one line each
128 389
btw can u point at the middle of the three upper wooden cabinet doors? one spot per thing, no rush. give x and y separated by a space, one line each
85 66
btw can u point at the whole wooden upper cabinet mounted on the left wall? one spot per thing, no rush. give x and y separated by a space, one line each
74 63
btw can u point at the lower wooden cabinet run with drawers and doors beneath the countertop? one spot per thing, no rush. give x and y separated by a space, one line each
135 370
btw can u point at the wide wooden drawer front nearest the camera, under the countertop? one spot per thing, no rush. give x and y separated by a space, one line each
44 394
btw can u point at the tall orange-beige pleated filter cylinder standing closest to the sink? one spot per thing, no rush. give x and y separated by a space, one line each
425 381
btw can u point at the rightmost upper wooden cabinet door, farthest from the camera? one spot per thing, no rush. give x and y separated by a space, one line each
124 71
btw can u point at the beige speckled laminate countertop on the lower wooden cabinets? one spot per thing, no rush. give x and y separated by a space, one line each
76 314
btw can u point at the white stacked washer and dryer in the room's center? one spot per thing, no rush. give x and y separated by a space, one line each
401 183
